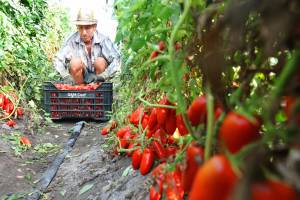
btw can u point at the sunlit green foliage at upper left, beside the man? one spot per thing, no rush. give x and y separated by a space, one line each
30 34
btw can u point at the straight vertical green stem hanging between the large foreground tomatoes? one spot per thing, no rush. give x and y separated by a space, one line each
210 123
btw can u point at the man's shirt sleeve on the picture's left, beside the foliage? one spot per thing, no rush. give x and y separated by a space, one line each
62 60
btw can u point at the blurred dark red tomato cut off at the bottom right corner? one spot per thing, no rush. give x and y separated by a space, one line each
272 190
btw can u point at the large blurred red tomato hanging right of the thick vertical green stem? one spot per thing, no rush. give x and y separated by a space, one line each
236 131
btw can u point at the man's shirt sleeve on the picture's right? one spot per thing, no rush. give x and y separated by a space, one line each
112 57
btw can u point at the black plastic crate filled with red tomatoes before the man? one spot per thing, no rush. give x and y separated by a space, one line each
78 104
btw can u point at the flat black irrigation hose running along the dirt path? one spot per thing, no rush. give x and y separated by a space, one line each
52 169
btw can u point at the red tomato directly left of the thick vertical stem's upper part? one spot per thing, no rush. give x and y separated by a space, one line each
197 111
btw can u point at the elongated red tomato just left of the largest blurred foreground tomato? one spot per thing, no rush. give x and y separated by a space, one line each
194 158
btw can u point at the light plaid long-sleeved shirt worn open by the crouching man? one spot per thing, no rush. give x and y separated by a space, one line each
75 47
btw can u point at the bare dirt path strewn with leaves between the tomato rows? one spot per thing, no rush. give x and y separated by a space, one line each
88 172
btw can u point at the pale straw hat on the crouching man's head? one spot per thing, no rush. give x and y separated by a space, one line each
86 16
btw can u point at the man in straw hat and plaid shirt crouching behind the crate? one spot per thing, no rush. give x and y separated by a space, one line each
87 56
